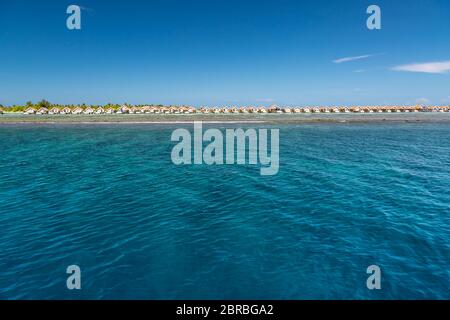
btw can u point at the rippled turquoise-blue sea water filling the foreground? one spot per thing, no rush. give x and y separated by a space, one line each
109 199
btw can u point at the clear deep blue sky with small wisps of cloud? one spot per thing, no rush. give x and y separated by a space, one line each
223 52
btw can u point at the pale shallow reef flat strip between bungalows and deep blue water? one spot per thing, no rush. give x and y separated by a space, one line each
171 119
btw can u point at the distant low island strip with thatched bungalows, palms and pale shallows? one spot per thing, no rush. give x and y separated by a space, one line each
45 112
